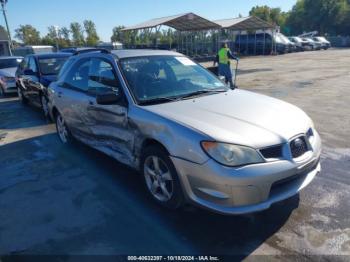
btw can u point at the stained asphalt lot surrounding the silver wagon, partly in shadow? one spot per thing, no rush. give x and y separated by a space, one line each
59 200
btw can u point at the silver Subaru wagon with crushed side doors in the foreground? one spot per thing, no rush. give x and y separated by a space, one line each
192 138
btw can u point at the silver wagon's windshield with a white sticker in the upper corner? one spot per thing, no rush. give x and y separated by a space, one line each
159 79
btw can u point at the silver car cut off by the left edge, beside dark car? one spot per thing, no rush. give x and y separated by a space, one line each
8 67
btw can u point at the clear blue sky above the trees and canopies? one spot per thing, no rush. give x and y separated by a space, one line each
110 13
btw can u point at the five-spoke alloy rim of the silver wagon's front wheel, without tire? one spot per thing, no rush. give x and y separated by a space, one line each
158 178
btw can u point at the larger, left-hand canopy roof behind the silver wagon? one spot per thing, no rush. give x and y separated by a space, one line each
183 22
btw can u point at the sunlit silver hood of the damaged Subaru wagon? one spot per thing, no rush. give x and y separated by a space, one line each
239 117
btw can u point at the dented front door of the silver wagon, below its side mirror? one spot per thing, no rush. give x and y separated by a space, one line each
109 123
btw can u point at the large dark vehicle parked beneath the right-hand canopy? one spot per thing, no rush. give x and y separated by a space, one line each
260 44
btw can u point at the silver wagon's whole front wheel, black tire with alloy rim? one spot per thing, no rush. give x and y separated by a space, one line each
161 179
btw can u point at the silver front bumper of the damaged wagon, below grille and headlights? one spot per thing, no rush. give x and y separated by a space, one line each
247 189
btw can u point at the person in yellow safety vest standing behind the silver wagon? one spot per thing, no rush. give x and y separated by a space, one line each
223 59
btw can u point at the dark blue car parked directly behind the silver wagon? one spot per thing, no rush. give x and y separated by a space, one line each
34 75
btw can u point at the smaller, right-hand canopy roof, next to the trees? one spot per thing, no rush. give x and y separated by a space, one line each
244 23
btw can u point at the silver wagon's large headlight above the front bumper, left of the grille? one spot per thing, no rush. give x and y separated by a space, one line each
231 155
